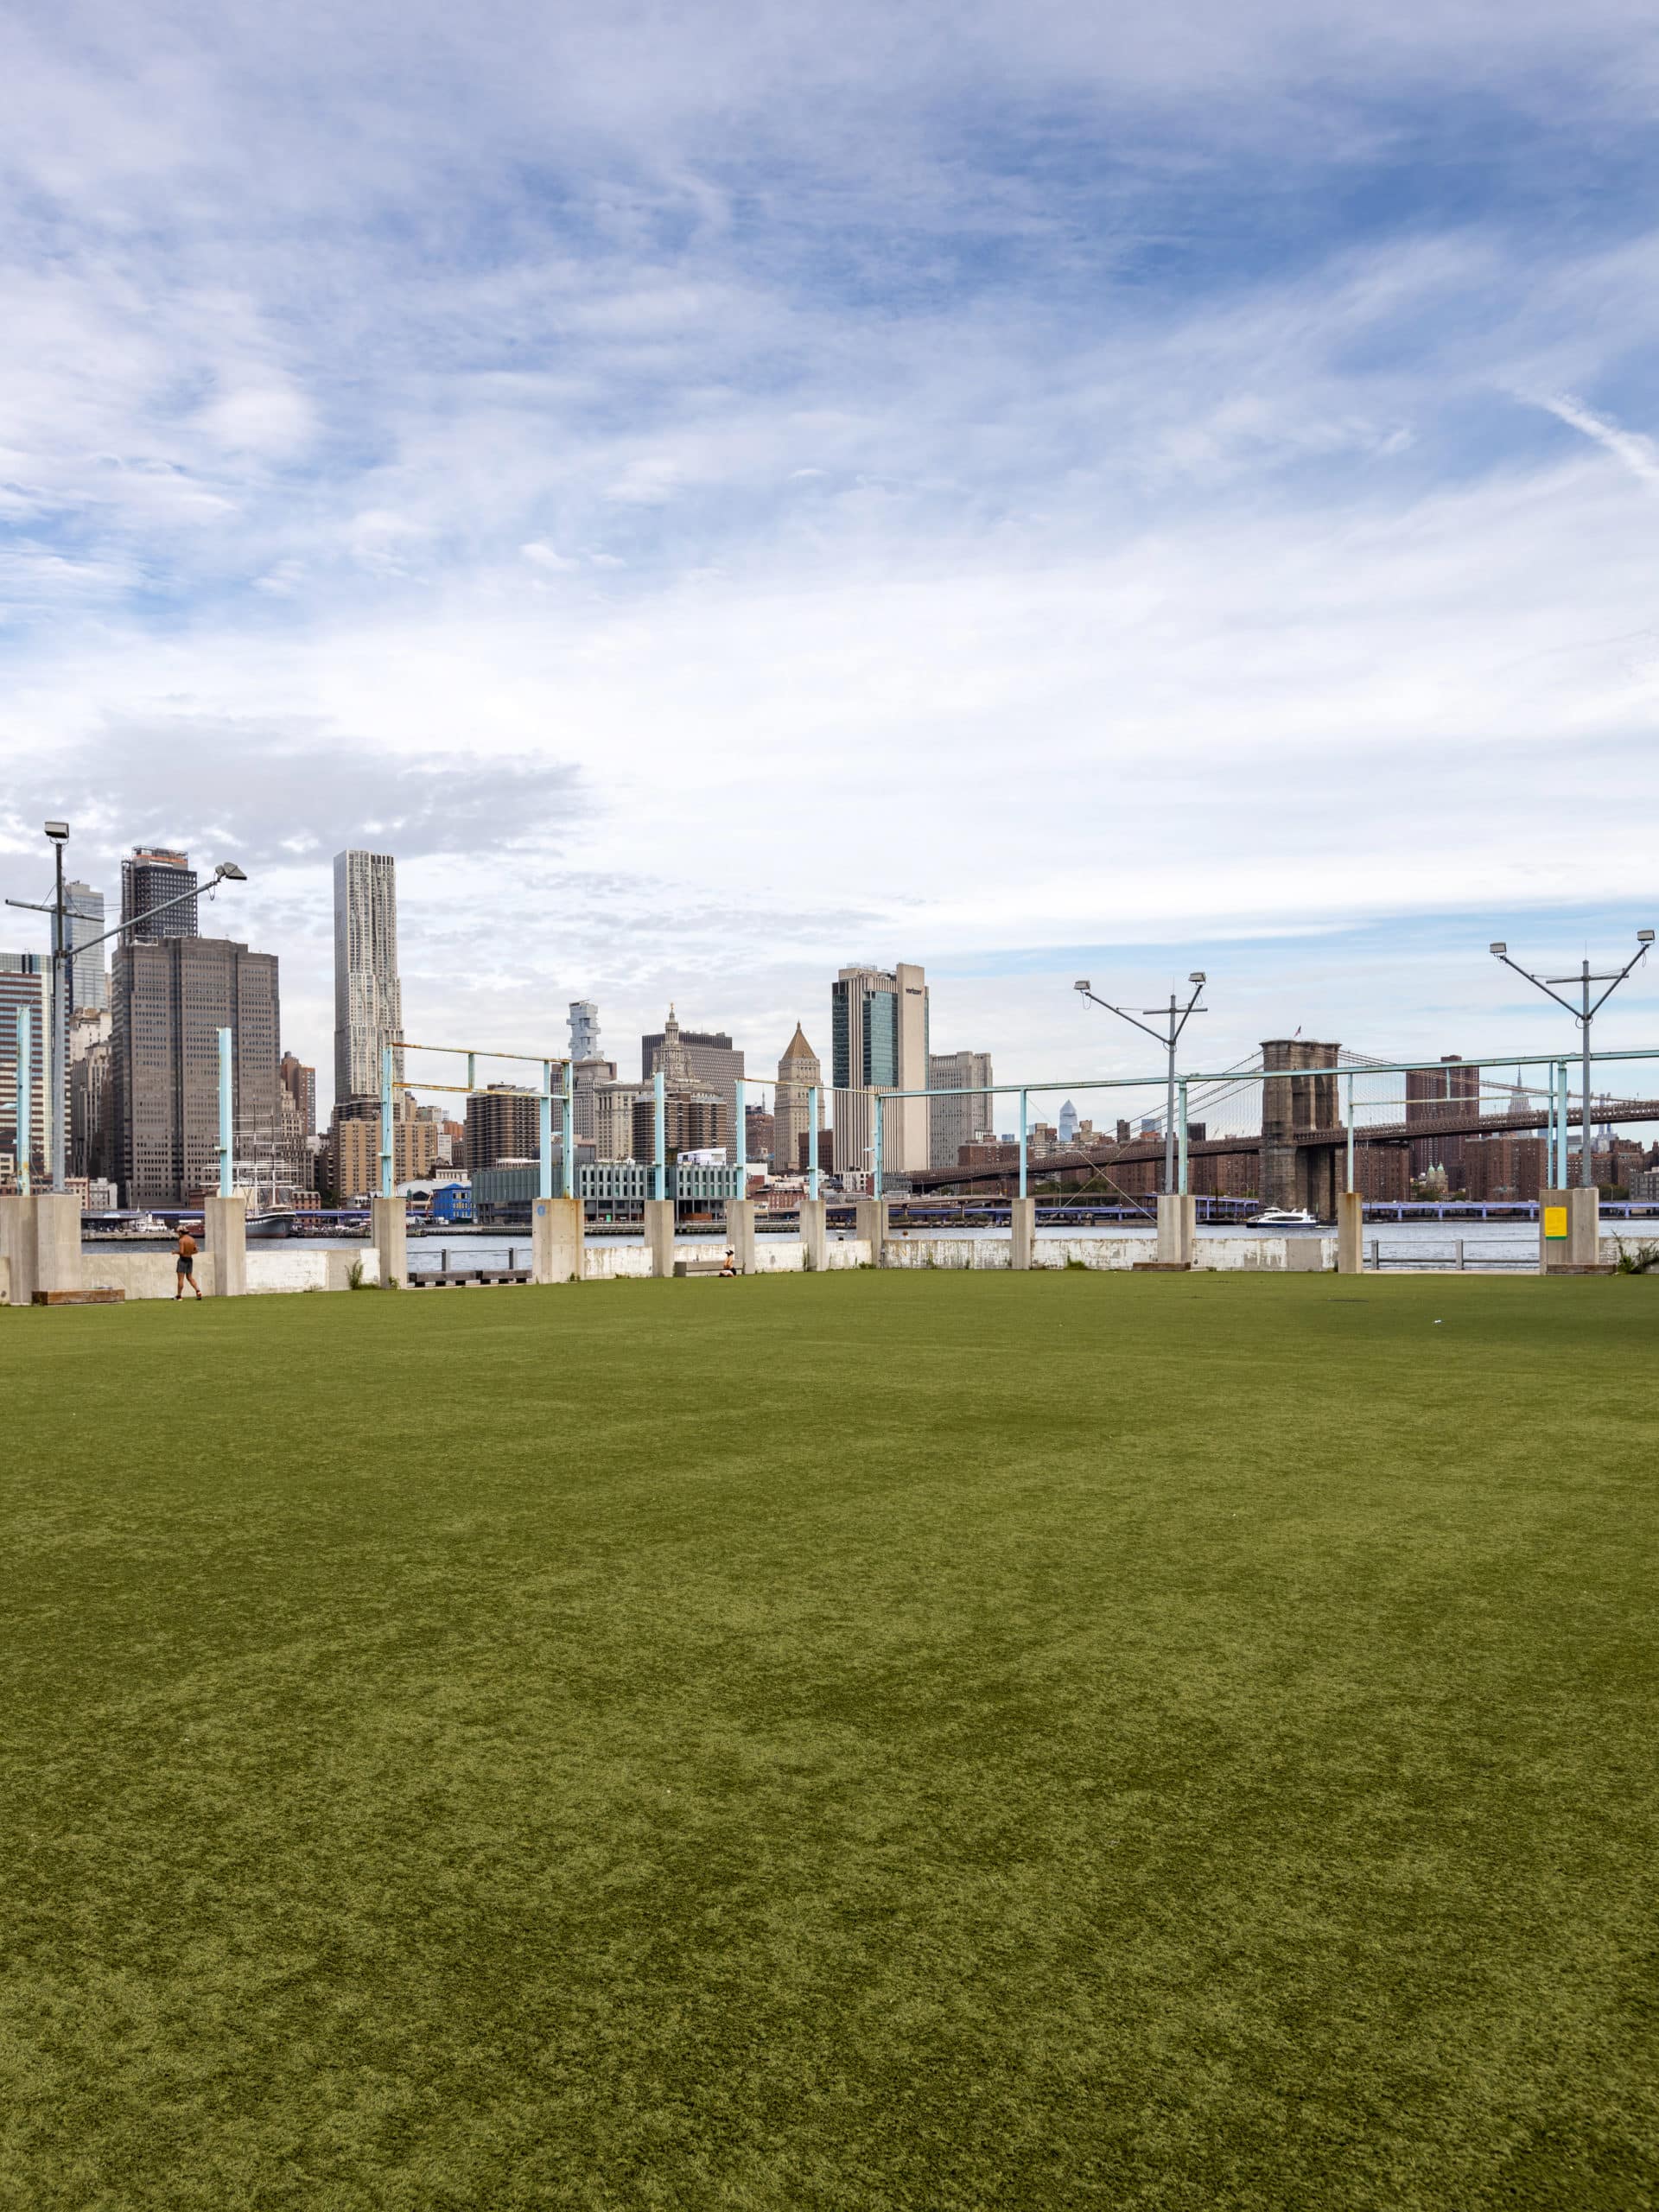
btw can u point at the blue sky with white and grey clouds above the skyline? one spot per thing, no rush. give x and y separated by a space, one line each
720 492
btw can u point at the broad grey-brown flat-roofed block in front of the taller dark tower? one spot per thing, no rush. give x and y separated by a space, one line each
169 1001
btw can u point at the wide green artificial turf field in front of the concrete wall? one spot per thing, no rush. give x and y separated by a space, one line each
835 1742
